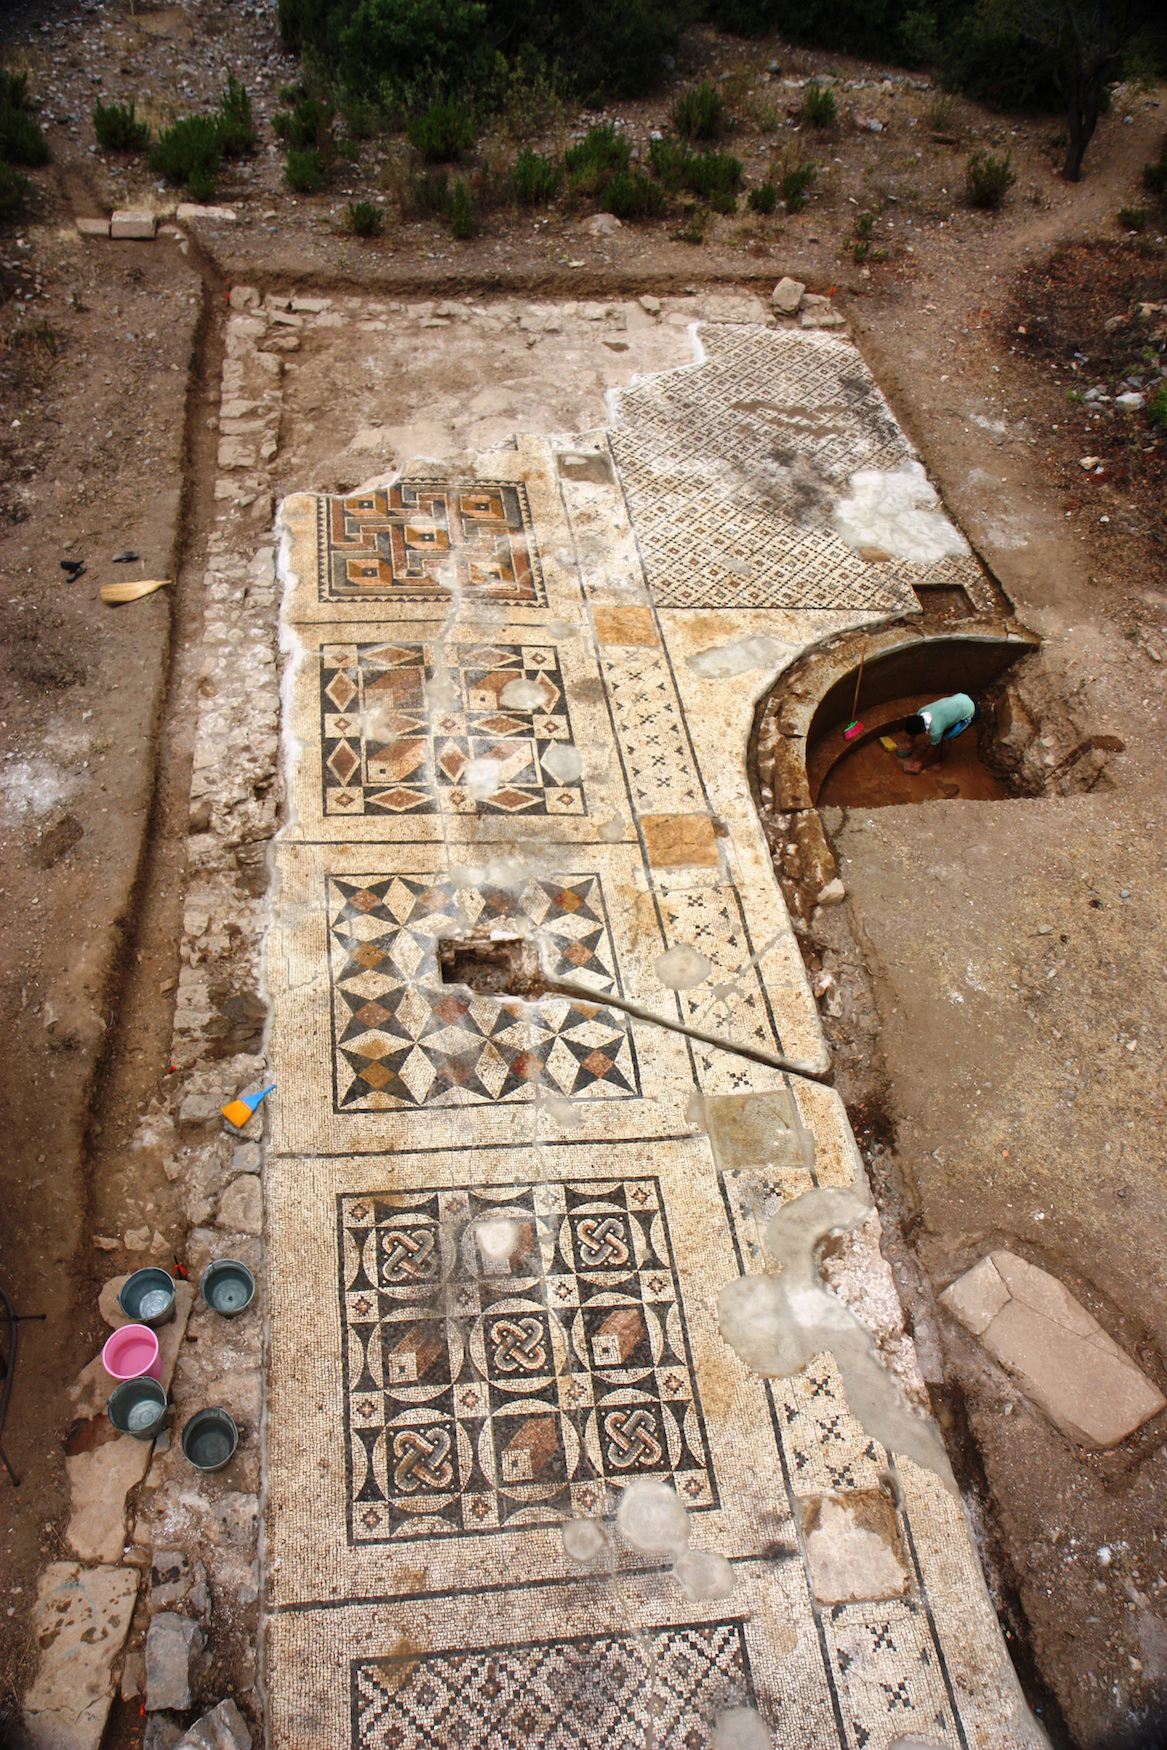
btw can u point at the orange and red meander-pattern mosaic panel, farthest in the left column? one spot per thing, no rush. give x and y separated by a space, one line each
431 542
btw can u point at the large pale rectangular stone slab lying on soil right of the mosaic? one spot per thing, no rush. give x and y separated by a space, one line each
1059 1355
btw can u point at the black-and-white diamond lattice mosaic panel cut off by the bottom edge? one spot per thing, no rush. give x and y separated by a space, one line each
620 1691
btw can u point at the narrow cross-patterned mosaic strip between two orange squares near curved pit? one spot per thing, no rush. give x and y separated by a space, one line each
662 774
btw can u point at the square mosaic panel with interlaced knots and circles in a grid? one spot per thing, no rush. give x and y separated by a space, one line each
510 1355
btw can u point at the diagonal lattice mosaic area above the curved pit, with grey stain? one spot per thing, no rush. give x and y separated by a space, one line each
732 470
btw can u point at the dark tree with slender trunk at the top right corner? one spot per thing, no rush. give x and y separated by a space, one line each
1086 43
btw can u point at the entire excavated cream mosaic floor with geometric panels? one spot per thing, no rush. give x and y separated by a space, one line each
498 1231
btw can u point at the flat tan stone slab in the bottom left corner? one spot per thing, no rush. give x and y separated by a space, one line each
81 1623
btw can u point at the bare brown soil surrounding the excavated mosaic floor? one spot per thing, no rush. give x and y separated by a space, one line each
1023 935
